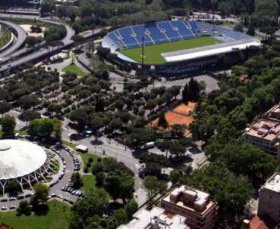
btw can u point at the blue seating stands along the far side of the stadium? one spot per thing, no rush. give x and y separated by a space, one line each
165 31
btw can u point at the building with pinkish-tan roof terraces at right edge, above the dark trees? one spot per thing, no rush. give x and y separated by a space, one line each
265 133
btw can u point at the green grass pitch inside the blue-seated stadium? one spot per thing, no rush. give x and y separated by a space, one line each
153 52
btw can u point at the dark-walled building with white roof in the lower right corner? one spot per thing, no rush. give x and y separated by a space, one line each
269 199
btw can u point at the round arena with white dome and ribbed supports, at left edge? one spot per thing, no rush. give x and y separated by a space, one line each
24 162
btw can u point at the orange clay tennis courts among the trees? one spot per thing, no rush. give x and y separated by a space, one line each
182 115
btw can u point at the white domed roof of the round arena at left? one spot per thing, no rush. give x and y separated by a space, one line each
19 158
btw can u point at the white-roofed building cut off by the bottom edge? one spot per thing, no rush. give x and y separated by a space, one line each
155 219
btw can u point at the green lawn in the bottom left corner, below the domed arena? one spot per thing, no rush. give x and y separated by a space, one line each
57 217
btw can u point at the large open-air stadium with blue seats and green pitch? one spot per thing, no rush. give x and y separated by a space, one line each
158 45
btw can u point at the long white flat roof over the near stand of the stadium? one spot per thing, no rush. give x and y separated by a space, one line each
210 50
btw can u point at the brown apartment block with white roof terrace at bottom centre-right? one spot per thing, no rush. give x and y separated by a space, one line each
196 206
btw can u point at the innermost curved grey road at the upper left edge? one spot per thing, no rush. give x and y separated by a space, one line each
20 34
